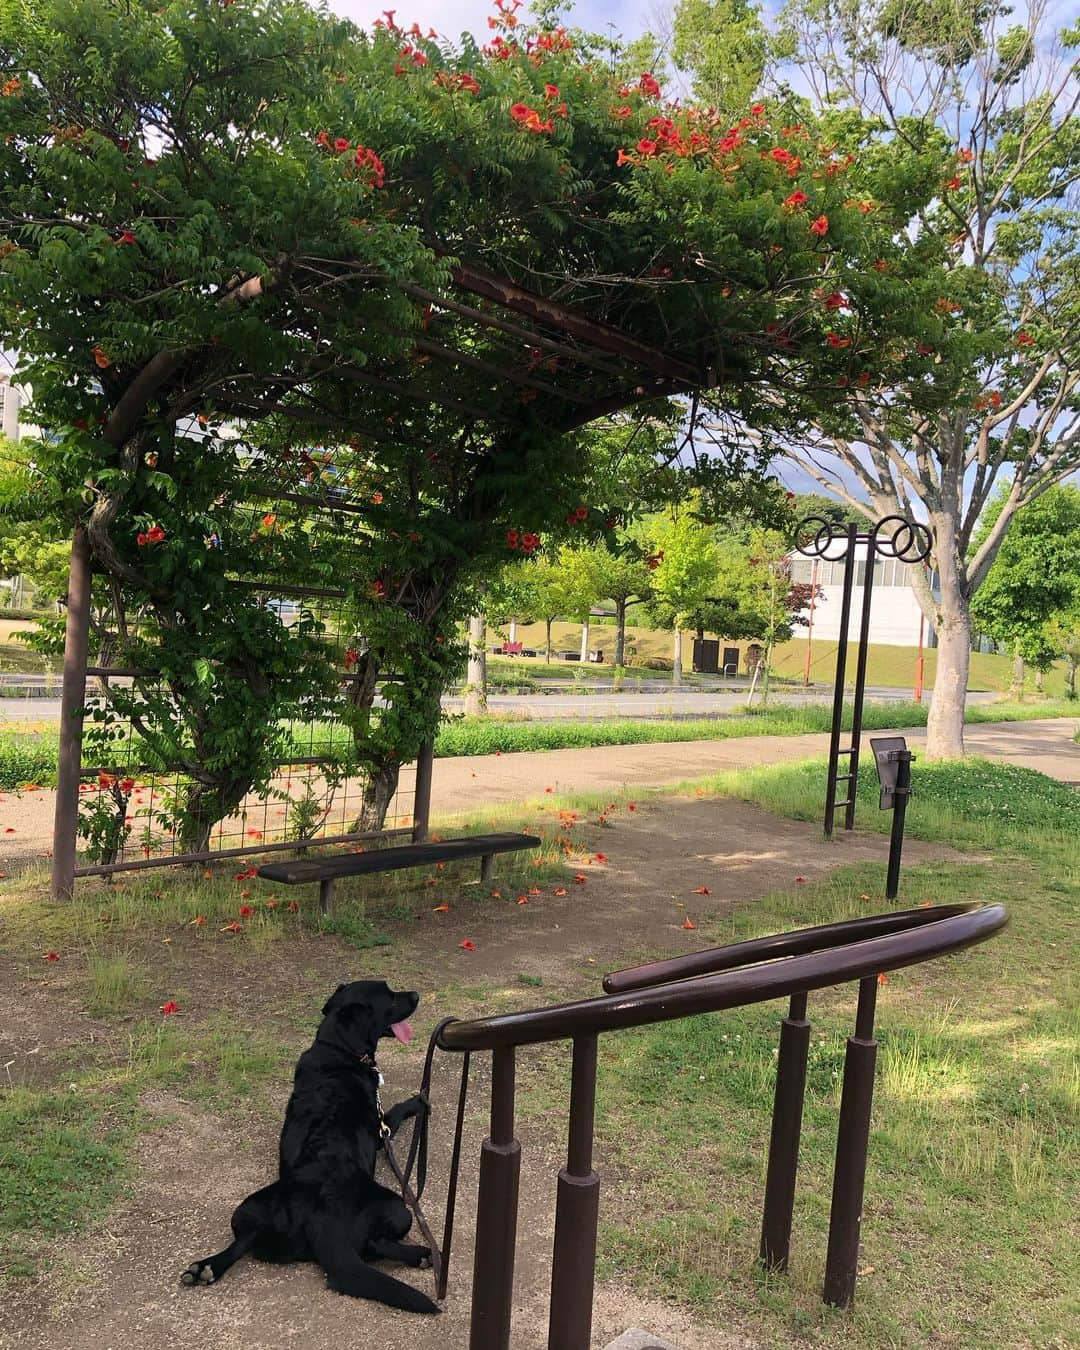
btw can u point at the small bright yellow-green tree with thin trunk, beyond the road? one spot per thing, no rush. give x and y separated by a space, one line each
686 572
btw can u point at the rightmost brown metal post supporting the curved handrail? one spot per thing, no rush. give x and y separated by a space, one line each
853 1143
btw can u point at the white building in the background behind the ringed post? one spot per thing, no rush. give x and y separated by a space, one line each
894 618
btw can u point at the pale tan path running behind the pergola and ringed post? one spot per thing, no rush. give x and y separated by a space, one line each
473 782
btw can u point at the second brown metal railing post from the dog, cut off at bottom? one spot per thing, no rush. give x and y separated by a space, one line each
574 1262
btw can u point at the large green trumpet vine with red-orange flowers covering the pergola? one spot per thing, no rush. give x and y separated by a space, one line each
240 259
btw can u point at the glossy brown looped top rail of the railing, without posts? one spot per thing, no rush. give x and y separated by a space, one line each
927 935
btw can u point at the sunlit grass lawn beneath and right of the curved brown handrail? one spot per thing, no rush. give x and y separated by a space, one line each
970 1221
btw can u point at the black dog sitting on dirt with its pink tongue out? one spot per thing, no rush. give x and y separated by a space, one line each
326 1205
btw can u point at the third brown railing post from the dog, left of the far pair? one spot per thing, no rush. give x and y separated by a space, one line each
784 1150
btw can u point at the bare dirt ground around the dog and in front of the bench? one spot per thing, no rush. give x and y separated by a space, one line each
115 1289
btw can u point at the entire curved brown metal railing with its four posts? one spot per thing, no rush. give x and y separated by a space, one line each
782 966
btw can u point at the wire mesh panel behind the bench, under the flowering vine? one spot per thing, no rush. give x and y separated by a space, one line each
152 796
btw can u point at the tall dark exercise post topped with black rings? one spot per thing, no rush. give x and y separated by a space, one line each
908 542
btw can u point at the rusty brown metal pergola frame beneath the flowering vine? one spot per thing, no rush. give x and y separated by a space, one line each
488 357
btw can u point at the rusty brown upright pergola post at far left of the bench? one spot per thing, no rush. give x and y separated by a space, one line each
74 696
